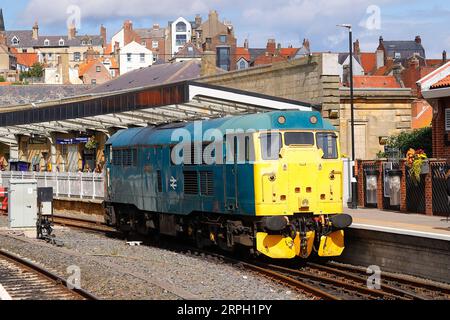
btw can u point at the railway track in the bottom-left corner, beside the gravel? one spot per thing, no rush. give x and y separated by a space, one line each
24 280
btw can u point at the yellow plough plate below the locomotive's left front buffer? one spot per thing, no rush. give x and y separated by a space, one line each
275 246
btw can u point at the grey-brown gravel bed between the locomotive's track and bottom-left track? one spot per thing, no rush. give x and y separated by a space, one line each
111 269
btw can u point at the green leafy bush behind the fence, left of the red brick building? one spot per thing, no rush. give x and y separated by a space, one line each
416 139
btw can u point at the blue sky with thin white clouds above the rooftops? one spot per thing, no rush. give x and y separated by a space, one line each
287 21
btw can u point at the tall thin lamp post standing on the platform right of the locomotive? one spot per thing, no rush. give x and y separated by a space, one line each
353 204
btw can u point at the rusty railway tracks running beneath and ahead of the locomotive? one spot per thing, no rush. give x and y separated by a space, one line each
329 282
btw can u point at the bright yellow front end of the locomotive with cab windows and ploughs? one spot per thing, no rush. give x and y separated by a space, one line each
302 183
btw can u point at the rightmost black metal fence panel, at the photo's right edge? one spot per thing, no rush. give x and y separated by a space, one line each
440 200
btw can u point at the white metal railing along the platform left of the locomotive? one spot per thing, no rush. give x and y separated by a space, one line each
65 184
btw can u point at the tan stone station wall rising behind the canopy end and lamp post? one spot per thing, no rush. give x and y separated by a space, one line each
315 79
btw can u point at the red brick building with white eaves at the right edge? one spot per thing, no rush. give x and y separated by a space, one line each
435 89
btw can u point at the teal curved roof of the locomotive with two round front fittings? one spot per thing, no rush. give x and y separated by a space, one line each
161 135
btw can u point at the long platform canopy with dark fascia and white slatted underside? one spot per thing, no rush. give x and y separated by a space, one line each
155 105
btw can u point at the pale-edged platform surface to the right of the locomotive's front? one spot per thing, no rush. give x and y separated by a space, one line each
400 223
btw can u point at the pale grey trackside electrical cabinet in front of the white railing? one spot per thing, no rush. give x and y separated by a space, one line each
22 208
